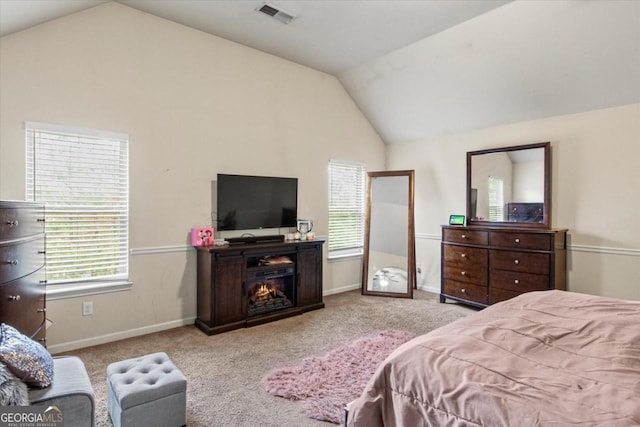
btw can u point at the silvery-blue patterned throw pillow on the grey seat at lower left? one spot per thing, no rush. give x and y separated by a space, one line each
25 358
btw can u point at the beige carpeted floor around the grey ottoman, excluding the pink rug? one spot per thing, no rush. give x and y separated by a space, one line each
224 371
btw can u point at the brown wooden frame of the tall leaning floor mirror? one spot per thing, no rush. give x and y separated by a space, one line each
411 259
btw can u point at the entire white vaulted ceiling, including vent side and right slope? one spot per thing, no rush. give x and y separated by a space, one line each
419 69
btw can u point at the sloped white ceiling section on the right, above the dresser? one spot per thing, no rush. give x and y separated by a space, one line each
524 61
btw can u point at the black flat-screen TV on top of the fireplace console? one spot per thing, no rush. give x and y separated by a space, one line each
251 202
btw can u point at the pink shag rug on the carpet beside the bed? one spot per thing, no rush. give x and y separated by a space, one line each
328 383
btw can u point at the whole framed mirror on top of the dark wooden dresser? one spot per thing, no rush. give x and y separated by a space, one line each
510 186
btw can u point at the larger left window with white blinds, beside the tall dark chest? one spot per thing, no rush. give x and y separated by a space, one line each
117 219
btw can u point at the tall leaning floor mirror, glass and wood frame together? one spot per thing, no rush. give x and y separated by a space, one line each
389 264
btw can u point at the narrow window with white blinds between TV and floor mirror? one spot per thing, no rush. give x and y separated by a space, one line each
346 208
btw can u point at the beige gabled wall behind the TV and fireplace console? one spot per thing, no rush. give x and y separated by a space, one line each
194 105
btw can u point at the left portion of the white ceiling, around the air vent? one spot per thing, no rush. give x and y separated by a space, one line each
327 35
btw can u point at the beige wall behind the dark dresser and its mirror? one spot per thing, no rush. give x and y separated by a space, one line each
595 192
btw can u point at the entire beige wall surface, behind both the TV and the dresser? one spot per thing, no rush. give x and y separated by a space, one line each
195 105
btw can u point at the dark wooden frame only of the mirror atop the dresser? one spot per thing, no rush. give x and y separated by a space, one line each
546 222
